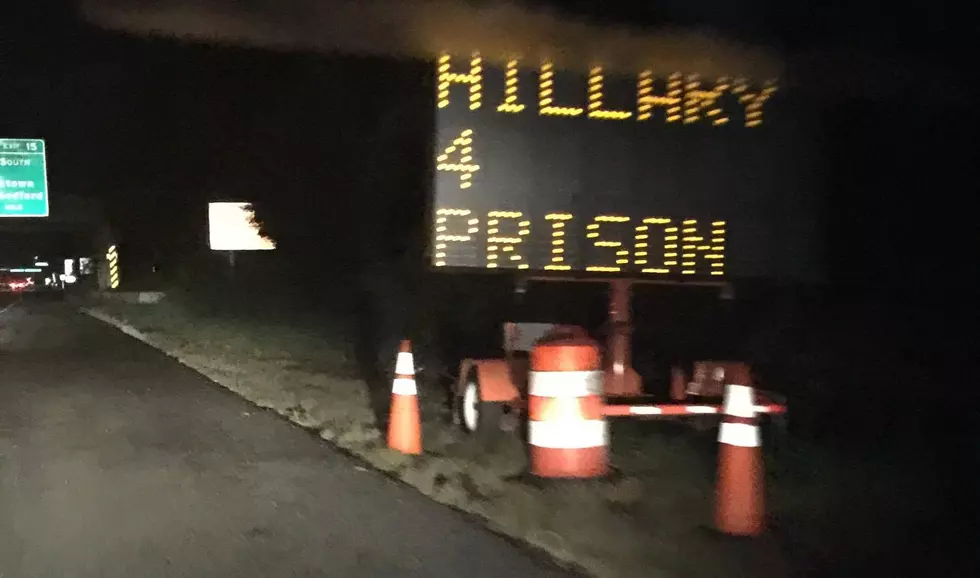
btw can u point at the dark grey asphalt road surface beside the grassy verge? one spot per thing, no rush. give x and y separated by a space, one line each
115 461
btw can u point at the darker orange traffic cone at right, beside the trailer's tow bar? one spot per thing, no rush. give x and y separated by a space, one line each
740 499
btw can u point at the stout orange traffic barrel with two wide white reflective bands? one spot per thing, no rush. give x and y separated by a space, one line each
568 436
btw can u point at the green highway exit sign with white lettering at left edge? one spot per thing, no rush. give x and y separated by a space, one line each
23 178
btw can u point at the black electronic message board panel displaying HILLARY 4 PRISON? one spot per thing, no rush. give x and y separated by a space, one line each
672 177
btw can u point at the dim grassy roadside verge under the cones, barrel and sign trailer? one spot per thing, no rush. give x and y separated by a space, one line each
650 519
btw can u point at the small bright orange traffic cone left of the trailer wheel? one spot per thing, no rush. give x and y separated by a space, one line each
404 423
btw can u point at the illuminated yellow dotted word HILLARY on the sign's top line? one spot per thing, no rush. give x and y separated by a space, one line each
687 99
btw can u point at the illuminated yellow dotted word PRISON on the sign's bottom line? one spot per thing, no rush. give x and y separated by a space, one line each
681 246
